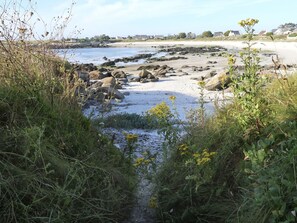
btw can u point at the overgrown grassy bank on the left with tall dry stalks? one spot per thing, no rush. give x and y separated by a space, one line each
54 165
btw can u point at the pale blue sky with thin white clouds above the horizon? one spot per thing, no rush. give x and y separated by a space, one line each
161 17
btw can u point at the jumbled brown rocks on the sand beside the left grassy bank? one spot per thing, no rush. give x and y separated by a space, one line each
104 83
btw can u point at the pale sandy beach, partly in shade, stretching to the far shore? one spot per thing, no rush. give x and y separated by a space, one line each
182 80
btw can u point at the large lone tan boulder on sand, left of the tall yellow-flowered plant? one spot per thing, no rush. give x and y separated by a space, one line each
218 82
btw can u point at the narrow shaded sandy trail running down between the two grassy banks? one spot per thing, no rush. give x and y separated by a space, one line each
148 140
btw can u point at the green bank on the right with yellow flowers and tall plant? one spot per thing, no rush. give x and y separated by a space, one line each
240 164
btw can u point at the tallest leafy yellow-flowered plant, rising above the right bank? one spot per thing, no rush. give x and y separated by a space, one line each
246 86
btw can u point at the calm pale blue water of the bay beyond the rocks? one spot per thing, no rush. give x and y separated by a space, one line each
95 55
